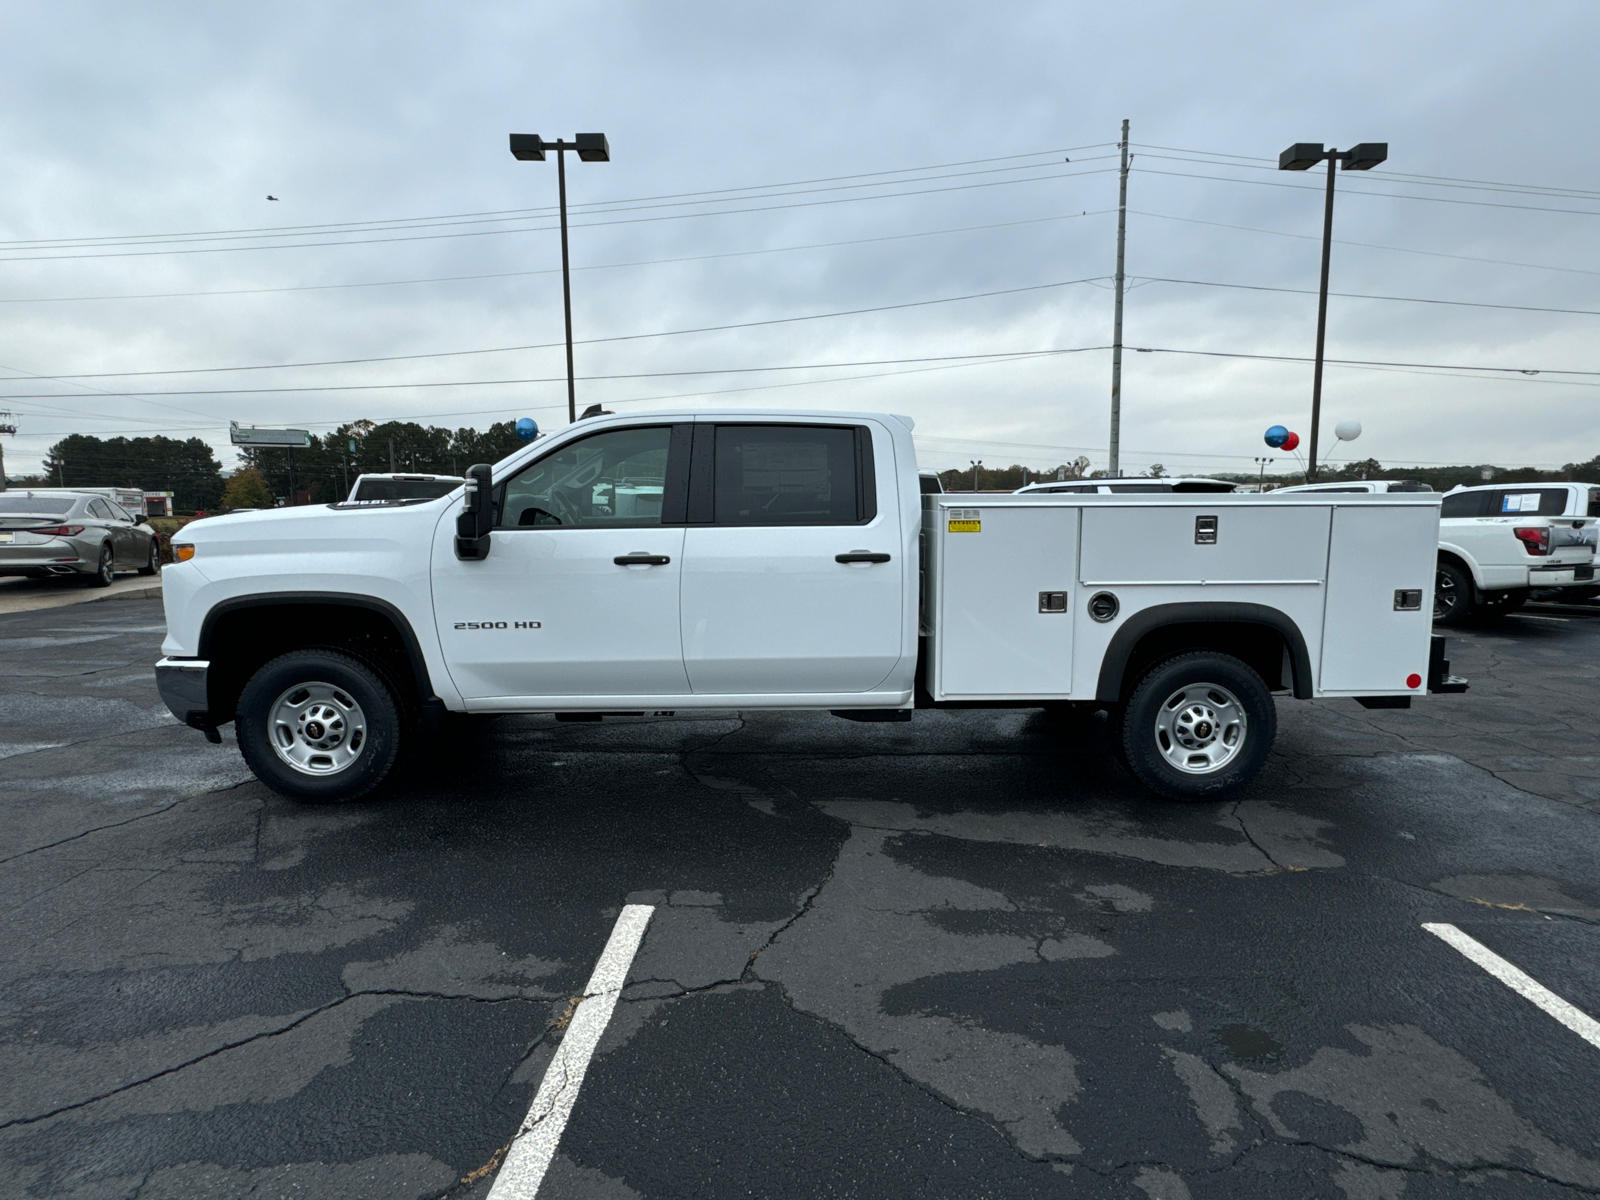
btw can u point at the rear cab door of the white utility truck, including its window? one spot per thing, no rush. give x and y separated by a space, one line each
793 575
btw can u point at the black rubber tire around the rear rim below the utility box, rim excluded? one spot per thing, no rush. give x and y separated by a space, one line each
1140 753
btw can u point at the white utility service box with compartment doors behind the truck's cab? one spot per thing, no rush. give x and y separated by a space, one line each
1329 564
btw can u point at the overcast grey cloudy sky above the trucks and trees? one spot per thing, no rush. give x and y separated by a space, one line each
388 122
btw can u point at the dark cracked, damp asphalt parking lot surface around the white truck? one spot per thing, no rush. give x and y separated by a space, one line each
962 958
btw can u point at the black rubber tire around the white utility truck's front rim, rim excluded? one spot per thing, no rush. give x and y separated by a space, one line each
330 666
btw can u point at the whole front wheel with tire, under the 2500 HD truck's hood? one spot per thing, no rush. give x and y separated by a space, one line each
319 727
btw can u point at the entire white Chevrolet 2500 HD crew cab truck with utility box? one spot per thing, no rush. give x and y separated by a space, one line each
788 561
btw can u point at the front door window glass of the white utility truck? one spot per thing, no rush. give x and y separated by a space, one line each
609 481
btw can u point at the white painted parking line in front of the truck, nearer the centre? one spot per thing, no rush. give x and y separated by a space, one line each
535 1145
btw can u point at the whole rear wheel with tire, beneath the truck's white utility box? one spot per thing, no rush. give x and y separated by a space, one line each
1198 727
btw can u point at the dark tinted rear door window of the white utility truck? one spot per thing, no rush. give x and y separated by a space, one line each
793 476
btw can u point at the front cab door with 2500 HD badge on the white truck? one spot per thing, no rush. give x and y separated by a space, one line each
580 593
